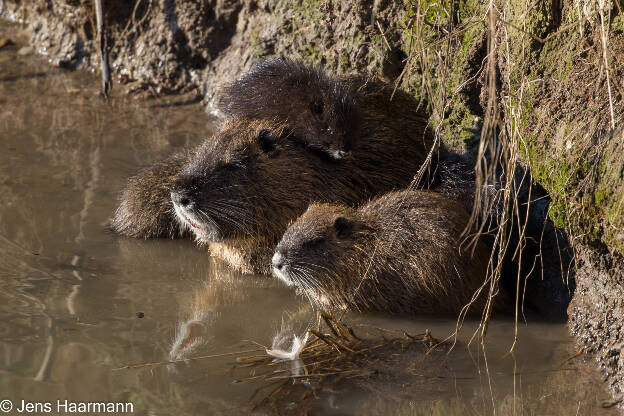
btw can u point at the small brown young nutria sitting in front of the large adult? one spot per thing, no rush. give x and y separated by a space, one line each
402 252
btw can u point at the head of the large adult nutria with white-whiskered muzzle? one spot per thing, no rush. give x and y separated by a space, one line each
243 182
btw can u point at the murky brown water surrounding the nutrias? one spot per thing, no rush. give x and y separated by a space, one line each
77 303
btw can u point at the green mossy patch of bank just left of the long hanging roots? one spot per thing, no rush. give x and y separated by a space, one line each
444 85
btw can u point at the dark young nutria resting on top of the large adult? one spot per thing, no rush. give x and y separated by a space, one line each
319 109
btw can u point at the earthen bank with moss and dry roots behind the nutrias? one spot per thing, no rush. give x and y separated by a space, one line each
558 88
